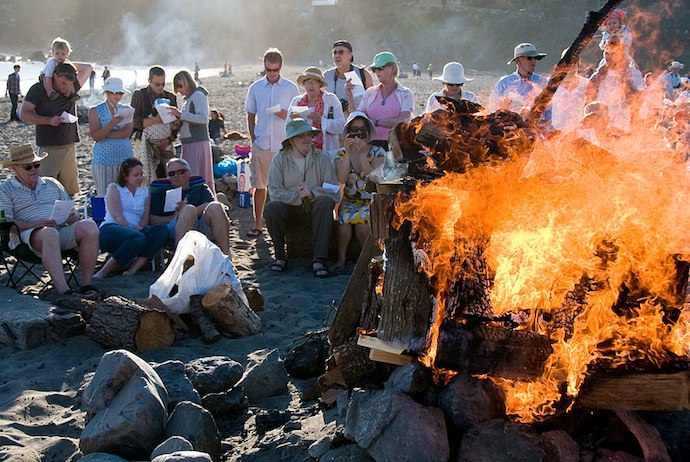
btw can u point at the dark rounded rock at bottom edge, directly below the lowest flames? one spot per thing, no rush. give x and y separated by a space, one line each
496 440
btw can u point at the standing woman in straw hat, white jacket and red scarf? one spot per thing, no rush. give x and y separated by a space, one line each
320 108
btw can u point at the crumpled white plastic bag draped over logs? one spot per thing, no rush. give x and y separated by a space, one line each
211 268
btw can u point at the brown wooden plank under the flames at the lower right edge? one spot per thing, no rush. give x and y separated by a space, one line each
638 392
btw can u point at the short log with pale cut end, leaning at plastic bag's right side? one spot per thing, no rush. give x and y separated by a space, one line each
230 313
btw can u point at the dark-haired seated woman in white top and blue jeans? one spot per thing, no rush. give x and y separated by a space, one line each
125 232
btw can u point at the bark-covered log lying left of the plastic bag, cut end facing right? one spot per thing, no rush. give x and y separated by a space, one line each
117 322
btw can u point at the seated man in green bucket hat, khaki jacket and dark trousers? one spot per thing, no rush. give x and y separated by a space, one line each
295 181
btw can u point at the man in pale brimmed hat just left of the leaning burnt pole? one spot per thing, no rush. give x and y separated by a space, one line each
517 91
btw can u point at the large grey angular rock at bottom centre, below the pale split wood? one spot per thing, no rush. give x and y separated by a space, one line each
392 426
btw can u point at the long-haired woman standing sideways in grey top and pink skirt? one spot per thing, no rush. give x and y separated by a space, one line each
196 143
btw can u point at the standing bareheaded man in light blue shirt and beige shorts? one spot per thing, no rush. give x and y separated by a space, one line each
267 103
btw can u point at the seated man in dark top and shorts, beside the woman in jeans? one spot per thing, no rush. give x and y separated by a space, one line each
197 209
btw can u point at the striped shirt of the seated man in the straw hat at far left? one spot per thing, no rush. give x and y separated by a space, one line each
23 204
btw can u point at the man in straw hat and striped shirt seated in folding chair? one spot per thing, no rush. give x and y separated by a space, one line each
28 200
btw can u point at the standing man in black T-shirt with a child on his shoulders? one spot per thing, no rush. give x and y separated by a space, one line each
56 122
